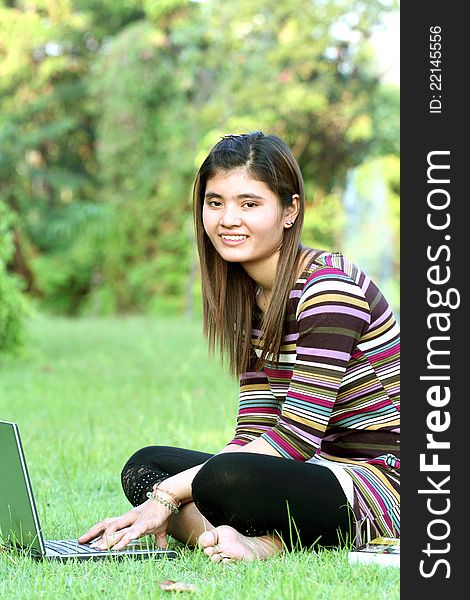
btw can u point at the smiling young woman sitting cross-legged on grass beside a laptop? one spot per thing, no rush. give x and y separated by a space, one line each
315 457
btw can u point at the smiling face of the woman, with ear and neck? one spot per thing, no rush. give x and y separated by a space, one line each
245 221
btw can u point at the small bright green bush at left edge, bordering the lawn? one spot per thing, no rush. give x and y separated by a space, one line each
13 307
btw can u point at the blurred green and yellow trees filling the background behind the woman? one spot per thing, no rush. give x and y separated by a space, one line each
107 109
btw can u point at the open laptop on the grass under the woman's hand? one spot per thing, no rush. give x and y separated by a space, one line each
20 529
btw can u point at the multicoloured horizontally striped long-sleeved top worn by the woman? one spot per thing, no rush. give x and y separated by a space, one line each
333 398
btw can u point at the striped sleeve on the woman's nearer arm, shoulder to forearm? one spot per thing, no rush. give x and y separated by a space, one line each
332 314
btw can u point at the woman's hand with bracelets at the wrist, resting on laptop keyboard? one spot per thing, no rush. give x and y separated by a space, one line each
115 533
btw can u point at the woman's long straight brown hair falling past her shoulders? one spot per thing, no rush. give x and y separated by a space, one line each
228 293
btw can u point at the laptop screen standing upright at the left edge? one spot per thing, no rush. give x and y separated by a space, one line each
19 522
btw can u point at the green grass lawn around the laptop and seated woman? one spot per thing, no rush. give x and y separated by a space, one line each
89 393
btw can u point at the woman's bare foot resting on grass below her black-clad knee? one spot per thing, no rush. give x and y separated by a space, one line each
225 544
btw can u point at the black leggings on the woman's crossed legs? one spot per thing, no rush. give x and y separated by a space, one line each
254 493
